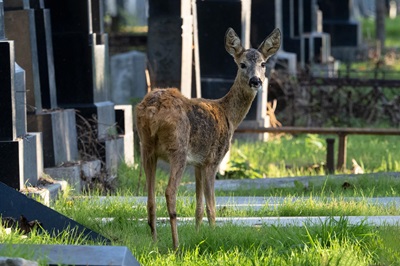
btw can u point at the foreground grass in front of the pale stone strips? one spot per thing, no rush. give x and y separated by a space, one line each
332 242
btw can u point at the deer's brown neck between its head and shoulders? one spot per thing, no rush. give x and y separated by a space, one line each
237 102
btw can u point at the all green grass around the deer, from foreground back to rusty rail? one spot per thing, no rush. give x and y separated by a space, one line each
332 242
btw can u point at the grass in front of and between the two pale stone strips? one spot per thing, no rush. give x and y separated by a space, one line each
332 242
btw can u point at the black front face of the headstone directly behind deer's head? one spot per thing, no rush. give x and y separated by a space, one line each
217 68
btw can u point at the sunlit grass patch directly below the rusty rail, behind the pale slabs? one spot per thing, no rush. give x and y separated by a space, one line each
306 154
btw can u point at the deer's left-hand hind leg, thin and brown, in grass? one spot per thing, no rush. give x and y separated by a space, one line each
149 161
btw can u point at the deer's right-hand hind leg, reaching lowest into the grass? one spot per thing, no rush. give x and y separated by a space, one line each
177 168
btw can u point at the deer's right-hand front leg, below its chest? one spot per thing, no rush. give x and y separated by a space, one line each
209 193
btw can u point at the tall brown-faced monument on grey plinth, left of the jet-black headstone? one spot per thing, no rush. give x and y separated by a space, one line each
28 24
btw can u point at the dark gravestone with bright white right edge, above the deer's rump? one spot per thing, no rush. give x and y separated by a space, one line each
169 44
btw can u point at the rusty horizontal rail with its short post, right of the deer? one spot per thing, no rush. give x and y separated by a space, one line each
341 132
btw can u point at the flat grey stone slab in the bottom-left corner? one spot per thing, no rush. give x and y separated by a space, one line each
81 255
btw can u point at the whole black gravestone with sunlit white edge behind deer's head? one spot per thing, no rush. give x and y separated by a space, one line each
218 70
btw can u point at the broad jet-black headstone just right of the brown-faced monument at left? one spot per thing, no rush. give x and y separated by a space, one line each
79 46
